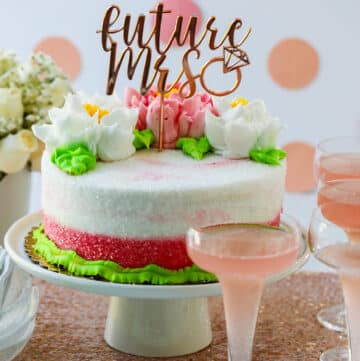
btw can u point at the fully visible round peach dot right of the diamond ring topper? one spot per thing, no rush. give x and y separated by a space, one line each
293 63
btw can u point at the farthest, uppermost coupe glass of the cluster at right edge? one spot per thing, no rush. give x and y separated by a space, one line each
335 159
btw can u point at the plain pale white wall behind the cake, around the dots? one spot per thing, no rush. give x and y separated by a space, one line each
329 106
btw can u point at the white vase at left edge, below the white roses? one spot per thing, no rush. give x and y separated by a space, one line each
14 199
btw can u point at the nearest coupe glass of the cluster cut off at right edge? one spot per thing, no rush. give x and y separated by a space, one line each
330 241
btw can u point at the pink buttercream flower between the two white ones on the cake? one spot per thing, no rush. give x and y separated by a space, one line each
182 117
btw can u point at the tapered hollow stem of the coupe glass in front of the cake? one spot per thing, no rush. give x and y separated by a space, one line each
241 297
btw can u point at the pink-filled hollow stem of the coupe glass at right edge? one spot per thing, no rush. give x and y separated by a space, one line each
351 289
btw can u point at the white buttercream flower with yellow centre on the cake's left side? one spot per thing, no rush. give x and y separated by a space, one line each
101 123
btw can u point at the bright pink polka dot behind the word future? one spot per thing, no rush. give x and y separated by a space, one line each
185 8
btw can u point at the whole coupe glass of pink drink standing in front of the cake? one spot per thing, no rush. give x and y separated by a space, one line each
243 257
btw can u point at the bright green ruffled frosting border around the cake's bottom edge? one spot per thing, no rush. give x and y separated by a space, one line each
111 271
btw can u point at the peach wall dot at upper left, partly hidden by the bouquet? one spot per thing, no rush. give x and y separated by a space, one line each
65 54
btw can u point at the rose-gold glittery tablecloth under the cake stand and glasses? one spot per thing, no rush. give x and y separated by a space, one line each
70 324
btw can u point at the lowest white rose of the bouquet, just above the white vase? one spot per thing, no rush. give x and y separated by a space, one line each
15 151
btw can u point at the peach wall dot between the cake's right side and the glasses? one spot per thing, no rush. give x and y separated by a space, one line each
300 169
